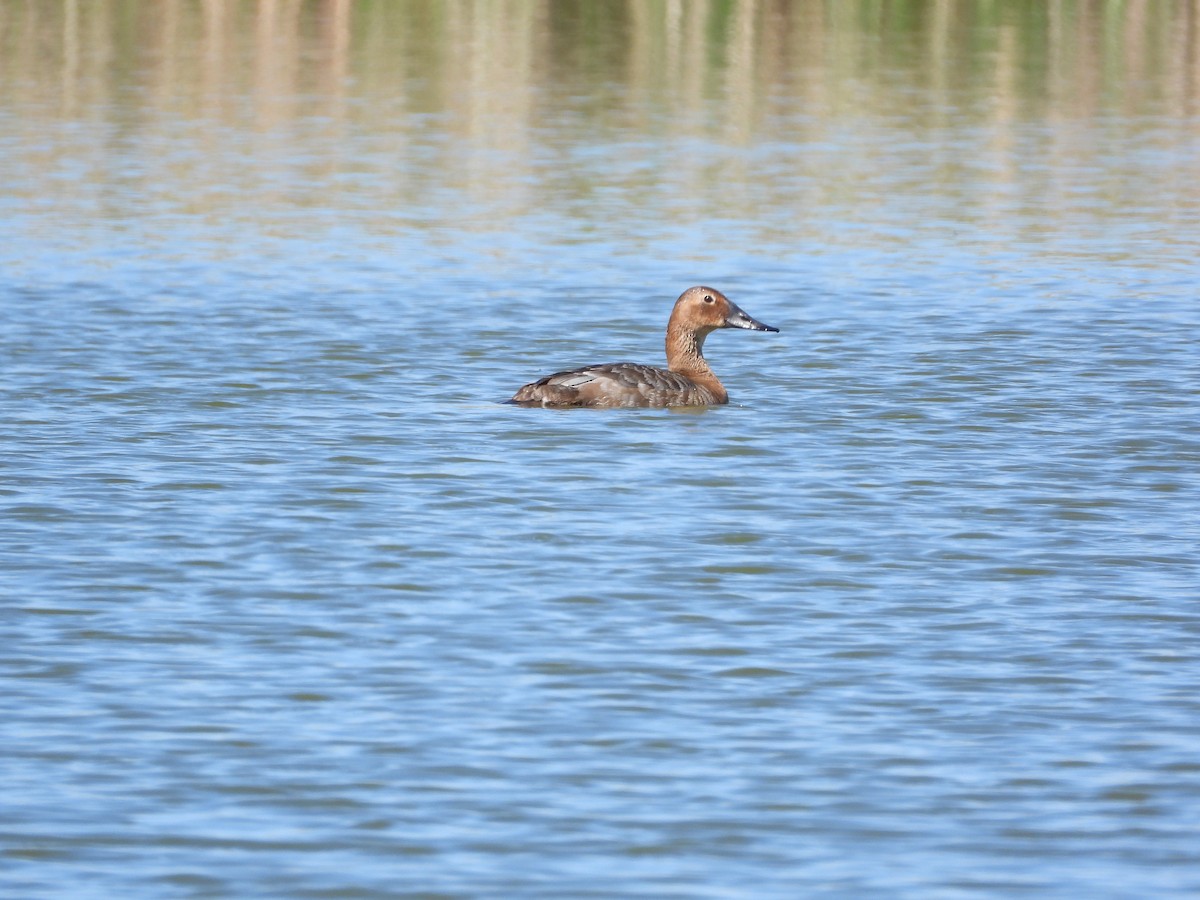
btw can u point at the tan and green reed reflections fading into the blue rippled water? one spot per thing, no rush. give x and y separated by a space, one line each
838 82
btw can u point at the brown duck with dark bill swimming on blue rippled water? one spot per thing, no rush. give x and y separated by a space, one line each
688 381
